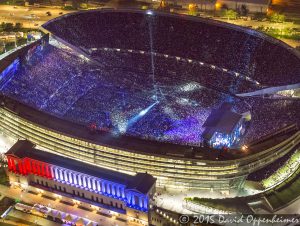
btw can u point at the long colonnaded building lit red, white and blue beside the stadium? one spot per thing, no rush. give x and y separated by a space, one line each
124 194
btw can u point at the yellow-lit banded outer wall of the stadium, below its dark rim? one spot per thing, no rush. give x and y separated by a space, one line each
171 172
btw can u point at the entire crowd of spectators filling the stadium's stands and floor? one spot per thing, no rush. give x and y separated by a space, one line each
183 82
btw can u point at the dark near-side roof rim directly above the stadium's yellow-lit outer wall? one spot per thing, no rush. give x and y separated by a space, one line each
138 145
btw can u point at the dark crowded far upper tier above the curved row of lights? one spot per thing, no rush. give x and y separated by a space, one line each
214 44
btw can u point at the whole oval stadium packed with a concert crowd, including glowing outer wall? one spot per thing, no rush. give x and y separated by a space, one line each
198 104
